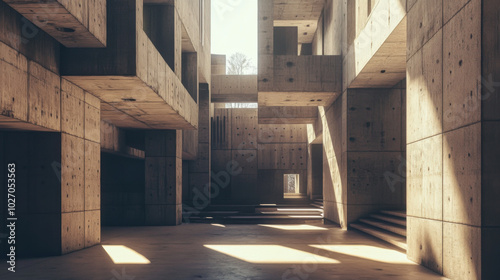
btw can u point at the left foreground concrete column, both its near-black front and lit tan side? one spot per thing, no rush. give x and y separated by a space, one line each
57 179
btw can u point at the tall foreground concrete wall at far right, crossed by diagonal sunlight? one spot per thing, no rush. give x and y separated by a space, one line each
452 219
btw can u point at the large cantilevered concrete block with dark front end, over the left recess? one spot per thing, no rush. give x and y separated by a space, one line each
132 74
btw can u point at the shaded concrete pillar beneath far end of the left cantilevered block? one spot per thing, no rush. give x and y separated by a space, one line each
163 188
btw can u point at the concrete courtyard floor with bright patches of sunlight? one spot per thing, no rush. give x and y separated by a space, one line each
201 251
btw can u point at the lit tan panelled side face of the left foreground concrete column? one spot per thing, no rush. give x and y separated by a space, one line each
80 169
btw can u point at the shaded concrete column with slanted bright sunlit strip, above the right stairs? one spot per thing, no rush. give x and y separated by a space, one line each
363 158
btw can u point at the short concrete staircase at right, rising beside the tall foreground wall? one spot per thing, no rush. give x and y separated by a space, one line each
389 226
